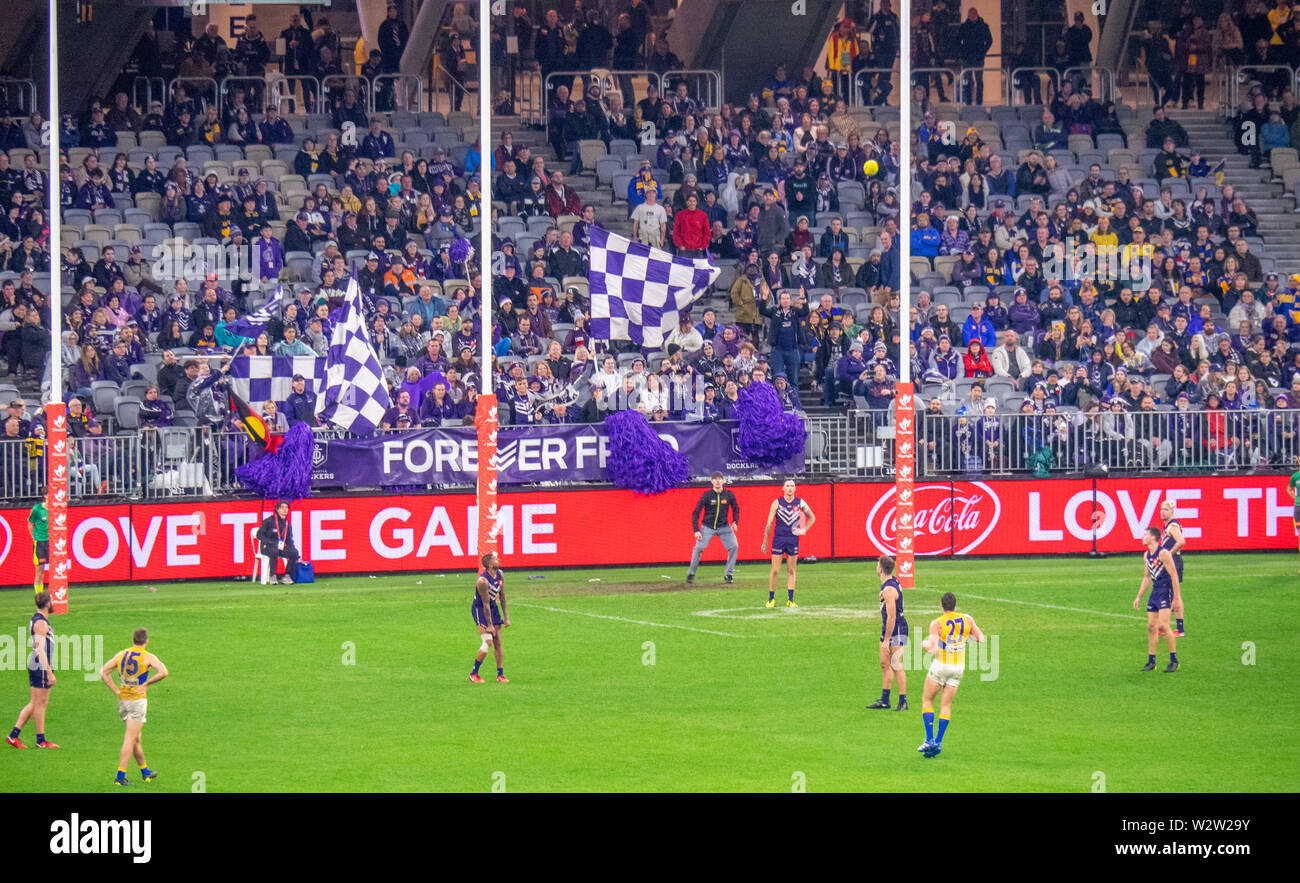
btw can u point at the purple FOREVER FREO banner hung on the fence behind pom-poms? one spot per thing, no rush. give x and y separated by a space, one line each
525 456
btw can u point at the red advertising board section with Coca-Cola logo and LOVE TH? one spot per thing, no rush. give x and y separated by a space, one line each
1055 516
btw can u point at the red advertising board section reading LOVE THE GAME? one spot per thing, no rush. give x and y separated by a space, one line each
166 542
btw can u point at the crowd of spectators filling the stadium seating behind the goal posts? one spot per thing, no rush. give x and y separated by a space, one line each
794 193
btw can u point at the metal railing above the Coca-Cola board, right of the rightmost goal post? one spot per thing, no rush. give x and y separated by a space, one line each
1073 441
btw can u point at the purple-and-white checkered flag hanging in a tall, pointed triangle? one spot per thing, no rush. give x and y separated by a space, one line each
356 395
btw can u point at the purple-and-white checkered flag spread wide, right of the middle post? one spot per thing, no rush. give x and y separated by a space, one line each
639 292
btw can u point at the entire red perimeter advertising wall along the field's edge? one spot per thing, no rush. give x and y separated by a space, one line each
608 527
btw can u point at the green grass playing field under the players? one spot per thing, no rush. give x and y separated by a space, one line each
738 698
